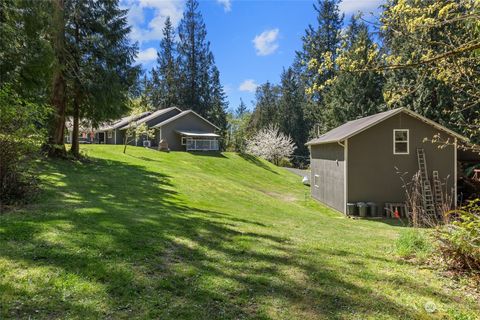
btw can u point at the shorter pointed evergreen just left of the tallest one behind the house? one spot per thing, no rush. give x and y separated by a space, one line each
165 91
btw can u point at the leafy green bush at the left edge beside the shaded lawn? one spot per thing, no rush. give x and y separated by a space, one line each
21 135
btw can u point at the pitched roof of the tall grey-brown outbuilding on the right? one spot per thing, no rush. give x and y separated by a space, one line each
354 127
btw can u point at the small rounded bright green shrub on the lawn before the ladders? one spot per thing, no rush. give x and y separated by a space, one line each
413 243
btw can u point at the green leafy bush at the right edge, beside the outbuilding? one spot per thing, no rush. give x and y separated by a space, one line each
460 239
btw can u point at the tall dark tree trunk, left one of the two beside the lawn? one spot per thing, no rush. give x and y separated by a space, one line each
55 145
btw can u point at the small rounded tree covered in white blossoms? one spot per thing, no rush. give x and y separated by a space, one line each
271 145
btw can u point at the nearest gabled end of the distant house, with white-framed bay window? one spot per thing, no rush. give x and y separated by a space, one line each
188 131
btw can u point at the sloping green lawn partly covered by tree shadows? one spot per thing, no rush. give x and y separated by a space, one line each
202 236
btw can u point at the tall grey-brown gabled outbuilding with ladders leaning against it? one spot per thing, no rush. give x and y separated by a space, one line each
363 159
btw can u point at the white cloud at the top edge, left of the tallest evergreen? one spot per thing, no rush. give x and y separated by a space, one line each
160 10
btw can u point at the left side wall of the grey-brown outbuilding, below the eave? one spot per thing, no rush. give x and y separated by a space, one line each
328 163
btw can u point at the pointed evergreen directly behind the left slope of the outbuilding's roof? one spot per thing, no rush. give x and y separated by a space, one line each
354 94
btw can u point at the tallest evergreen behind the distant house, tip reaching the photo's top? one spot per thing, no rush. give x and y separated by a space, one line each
195 60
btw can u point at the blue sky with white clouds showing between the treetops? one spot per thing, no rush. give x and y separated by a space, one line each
252 41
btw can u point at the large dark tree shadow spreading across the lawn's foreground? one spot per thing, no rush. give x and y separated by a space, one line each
118 241
